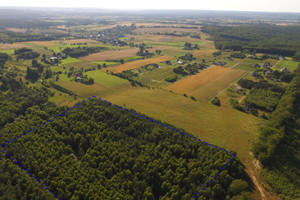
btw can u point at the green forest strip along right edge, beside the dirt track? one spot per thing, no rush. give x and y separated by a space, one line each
279 141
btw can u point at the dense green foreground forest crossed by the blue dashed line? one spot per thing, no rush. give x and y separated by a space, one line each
99 151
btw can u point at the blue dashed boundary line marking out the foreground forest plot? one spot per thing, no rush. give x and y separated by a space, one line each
120 107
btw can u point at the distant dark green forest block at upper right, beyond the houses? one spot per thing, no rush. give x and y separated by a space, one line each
284 40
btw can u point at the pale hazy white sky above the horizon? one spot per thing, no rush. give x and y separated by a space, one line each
243 5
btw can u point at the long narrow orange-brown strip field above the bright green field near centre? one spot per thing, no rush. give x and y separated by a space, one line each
137 64
